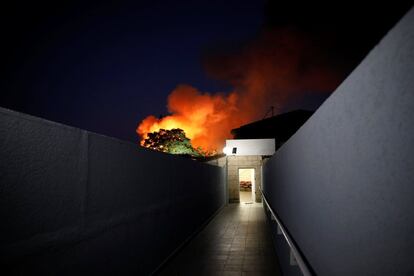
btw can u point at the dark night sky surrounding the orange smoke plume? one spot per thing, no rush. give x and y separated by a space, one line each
104 66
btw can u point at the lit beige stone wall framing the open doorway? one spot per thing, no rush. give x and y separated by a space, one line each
234 163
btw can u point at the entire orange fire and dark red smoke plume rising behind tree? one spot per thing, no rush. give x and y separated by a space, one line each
279 67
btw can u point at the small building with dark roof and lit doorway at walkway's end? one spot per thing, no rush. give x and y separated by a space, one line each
252 145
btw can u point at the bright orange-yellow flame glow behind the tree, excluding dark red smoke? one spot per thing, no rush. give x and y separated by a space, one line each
206 119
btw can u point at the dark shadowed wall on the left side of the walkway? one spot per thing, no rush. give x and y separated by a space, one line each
74 202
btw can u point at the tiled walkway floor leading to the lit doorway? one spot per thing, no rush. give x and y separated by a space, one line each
236 242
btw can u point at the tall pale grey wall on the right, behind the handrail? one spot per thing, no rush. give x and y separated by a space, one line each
343 185
